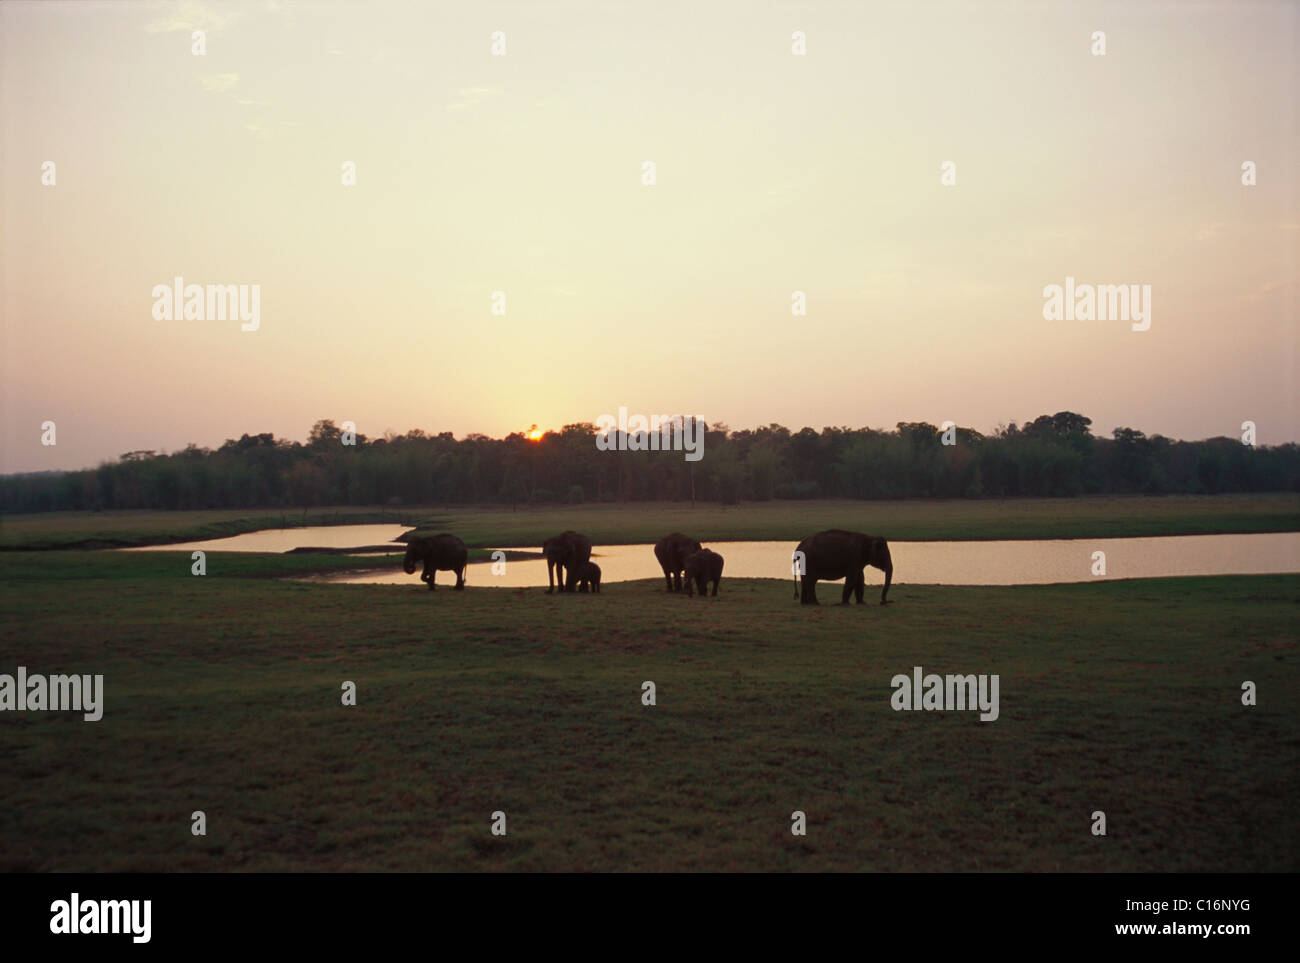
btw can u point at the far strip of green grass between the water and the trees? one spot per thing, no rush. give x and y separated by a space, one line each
614 524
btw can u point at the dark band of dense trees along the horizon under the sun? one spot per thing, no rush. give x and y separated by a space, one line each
1052 456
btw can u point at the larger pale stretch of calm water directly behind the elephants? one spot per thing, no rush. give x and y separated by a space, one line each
937 563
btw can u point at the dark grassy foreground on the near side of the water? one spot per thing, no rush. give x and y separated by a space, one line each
223 695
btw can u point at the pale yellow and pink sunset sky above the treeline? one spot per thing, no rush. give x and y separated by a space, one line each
525 173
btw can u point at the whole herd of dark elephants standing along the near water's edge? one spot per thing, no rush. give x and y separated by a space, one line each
826 557
